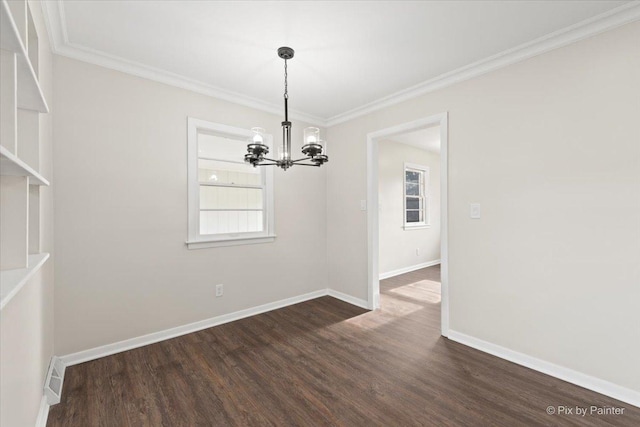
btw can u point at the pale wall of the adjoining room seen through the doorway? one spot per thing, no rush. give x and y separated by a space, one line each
397 245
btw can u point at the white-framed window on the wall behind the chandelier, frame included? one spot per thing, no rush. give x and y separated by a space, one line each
230 201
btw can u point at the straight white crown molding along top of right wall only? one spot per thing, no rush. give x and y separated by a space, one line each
600 23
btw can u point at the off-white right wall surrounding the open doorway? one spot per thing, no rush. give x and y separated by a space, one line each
550 148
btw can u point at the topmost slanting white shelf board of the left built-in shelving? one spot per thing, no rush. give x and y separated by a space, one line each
30 96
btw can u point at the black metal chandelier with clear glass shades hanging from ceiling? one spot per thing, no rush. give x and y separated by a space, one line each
312 147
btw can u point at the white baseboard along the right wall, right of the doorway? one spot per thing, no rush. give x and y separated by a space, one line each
589 382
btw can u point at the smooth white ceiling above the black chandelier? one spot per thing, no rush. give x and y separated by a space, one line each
349 54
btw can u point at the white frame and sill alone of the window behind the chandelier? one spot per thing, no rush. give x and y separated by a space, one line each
200 241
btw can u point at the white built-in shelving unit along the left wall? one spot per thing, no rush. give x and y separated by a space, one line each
21 102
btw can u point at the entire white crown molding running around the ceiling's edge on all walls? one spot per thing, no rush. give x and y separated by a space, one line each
56 27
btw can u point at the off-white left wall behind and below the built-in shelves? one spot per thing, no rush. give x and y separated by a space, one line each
26 324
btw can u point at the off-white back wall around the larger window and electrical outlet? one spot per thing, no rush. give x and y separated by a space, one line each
122 267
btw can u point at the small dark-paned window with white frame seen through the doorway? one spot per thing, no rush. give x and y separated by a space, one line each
416 197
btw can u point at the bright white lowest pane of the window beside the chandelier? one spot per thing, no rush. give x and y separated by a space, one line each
216 222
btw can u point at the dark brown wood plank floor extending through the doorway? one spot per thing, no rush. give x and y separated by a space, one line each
324 363
